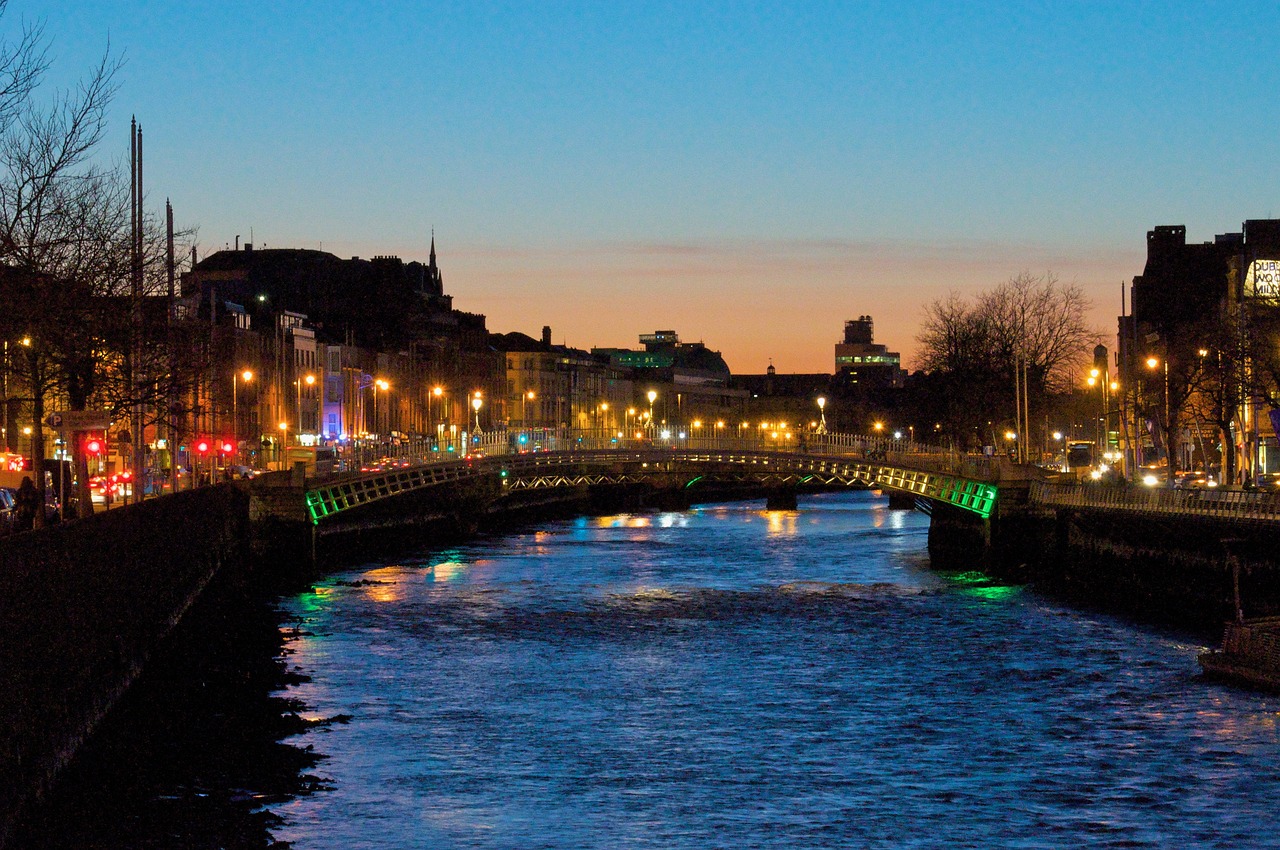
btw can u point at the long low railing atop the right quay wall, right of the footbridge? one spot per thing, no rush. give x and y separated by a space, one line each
1163 501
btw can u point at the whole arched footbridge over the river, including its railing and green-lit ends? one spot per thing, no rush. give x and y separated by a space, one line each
971 485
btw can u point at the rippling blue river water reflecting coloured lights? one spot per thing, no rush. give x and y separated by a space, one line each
733 678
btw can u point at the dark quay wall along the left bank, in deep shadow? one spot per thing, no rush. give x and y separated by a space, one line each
83 607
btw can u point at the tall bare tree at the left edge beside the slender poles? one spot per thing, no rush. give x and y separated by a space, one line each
62 220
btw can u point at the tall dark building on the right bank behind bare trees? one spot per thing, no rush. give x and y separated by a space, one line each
1192 314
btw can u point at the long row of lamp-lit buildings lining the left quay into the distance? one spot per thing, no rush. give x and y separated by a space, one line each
307 348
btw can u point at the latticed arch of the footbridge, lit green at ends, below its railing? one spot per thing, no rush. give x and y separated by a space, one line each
687 468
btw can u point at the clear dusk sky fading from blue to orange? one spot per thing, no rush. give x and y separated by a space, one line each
748 175
